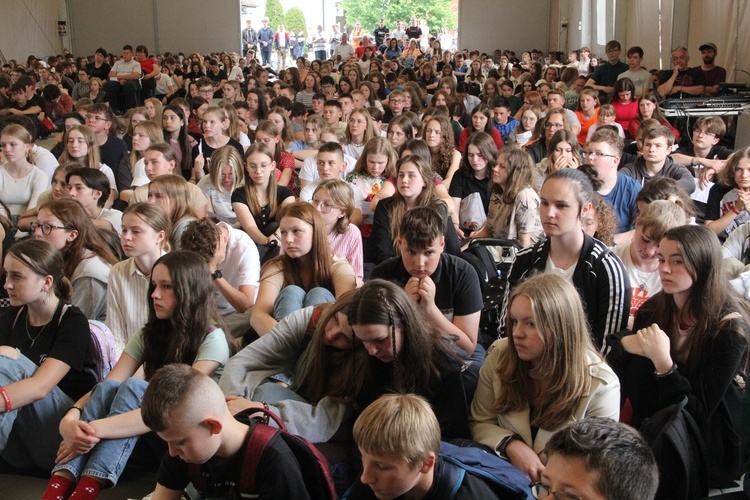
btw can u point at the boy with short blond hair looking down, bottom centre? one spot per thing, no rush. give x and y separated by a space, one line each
399 438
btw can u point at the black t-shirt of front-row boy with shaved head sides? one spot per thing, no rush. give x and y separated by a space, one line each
278 474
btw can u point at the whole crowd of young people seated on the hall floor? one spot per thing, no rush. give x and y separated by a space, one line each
290 238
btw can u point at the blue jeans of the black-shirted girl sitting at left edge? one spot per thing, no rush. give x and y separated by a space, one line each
29 435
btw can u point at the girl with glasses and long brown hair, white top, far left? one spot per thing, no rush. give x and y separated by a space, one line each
88 260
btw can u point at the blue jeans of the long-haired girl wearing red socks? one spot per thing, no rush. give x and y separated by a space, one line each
108 458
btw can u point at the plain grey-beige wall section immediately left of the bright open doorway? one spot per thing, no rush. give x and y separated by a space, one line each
163 25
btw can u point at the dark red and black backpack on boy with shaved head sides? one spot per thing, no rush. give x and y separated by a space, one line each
315 471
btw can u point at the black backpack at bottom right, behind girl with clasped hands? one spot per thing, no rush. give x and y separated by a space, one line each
677 443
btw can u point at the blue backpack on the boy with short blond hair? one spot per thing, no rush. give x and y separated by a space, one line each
503 478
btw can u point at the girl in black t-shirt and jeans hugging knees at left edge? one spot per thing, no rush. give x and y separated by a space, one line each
45 360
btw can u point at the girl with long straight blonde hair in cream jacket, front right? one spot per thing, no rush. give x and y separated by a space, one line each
541 378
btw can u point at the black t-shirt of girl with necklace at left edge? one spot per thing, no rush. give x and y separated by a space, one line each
66 339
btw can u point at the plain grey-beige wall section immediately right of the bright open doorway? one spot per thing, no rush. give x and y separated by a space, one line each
517 25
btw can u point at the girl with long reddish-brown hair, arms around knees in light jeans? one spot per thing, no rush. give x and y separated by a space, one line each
307 273
